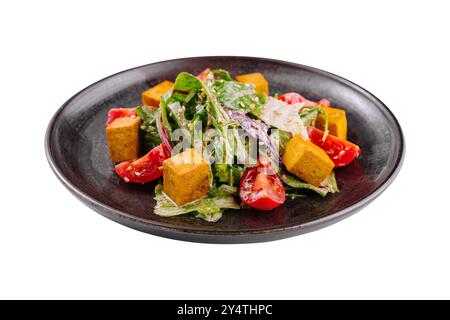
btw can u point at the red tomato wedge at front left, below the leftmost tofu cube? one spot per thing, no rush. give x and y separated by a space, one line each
144 169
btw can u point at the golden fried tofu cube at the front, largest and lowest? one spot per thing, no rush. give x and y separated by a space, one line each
186 177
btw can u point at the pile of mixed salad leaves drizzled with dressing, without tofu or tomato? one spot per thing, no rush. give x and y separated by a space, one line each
228 106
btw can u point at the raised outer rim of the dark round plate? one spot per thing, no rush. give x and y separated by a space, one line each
145 225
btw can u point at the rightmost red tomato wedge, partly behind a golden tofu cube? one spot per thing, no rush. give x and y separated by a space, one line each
340 151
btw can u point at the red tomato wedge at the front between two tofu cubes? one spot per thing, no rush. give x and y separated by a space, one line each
261 188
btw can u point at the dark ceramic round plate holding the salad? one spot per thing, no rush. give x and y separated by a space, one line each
77 152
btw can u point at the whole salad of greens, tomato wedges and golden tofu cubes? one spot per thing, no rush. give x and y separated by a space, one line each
213 143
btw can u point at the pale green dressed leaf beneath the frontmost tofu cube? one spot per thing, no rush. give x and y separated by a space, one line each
209 208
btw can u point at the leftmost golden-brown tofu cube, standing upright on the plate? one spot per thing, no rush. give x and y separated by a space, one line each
123 138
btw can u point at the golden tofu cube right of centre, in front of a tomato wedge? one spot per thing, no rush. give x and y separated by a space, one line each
307 161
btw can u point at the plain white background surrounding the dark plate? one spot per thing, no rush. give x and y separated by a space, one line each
52 246
